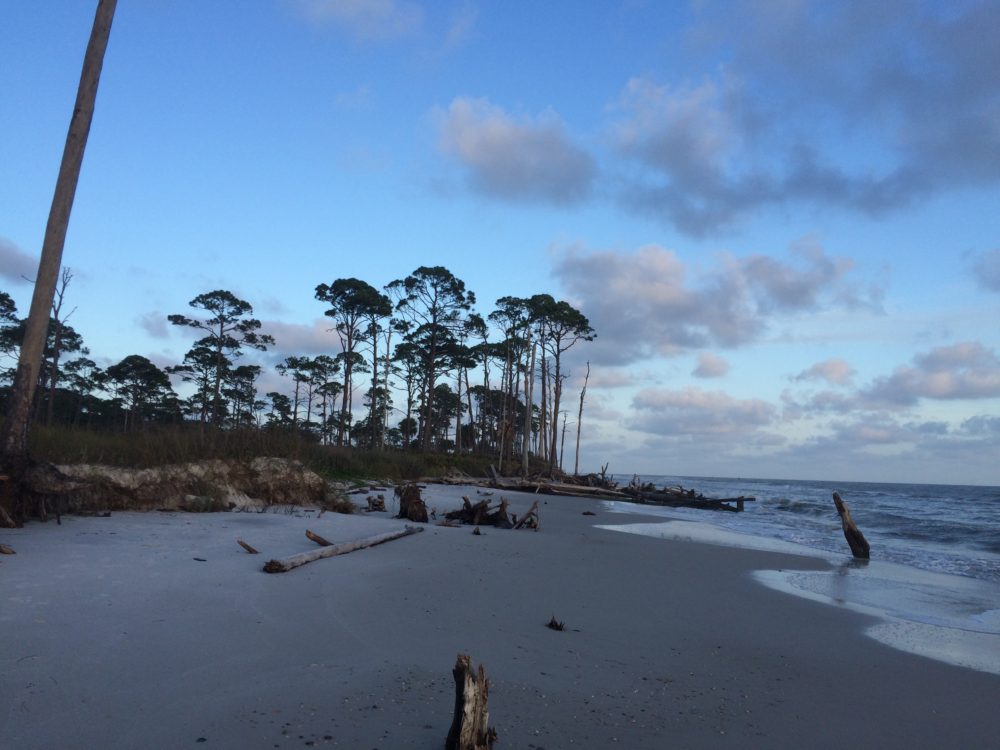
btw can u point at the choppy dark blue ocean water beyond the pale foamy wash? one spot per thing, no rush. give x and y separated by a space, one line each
938 528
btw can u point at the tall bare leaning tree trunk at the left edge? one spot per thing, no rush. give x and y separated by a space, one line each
14 432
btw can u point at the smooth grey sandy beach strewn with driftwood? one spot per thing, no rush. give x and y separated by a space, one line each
156 630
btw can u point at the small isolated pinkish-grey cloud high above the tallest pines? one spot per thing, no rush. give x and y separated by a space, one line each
520 159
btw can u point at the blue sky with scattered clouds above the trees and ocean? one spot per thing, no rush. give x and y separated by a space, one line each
782 218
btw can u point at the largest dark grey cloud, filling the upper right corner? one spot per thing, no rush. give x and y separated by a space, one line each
918 85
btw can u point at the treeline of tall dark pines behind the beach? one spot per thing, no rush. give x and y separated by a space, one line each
431 373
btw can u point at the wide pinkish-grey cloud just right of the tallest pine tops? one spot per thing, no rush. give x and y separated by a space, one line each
647 303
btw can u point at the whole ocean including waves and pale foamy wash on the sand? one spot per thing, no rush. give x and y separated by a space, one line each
934 575
